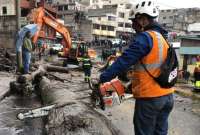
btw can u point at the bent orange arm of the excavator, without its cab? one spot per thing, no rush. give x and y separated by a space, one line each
42 17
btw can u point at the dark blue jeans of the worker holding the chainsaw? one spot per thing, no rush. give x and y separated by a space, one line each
151 115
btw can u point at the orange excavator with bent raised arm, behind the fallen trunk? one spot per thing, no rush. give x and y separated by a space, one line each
42 17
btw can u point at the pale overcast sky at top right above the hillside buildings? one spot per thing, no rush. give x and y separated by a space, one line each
169 4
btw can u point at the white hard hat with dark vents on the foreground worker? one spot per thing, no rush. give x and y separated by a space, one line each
145 7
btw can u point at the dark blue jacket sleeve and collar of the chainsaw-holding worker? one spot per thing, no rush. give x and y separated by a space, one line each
138 48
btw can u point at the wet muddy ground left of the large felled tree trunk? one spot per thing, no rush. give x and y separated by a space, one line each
11 105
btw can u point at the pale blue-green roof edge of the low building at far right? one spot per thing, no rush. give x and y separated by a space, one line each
190 50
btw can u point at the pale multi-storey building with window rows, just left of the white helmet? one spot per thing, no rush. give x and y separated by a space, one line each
111 21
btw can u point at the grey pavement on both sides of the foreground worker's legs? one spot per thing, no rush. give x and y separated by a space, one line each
182 121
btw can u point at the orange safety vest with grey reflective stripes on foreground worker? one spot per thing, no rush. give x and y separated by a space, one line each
143 85
